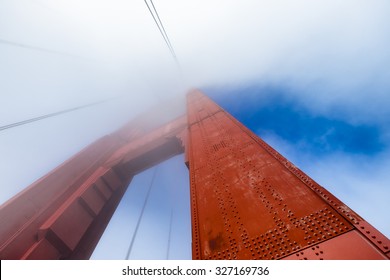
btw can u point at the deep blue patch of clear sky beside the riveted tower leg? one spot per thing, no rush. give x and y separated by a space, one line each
268 110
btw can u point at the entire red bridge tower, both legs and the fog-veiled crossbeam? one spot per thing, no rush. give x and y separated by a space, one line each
247 201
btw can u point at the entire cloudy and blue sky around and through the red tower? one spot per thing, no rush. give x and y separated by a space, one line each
312 78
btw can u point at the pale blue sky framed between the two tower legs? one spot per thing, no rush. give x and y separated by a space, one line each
169 193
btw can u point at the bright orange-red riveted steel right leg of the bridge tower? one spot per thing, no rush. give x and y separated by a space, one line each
249 202
